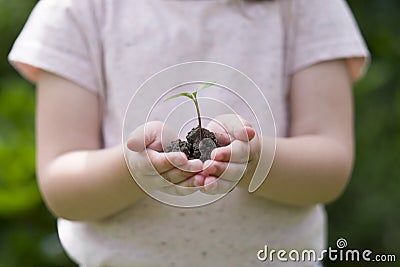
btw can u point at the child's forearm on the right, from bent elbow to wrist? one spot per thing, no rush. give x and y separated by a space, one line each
306 170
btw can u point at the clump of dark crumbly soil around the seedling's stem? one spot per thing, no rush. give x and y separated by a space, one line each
194 148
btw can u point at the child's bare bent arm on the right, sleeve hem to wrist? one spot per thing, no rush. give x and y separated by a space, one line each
313 165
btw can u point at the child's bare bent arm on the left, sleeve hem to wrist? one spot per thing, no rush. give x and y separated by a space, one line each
78 179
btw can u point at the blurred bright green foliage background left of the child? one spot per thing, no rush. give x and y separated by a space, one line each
27 231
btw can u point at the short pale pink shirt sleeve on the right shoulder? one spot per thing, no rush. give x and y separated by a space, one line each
323 30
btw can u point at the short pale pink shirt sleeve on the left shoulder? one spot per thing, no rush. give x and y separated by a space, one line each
61 37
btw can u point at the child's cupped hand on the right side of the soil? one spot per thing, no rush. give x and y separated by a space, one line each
237 158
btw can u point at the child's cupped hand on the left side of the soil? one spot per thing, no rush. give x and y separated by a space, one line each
170 173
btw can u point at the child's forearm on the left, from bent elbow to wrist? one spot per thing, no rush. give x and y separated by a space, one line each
88 185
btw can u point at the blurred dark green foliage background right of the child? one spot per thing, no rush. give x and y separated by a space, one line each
368 214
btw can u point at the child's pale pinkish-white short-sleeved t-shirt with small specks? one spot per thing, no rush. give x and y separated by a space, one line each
111 47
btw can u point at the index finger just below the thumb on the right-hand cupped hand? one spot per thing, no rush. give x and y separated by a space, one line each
237 151
